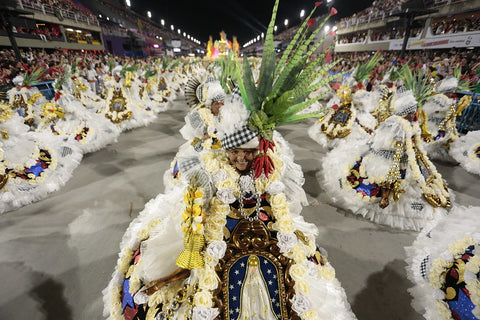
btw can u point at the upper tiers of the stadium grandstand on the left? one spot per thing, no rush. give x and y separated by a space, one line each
98 26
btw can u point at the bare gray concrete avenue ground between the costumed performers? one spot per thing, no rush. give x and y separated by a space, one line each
57 255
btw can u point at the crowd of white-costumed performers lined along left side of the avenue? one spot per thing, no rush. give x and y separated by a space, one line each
43 141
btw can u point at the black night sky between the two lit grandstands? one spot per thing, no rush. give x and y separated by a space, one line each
242 18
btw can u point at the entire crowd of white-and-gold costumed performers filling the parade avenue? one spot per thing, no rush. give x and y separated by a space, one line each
226 239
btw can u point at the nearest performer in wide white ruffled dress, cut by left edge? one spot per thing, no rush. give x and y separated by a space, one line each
34 164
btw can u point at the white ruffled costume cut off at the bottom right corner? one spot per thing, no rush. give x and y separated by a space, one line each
444 266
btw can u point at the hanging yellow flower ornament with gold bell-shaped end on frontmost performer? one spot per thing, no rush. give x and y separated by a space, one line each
192 226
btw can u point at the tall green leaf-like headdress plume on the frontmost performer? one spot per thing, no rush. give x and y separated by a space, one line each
283 86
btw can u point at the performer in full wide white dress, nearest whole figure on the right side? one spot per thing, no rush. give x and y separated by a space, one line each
389 178
